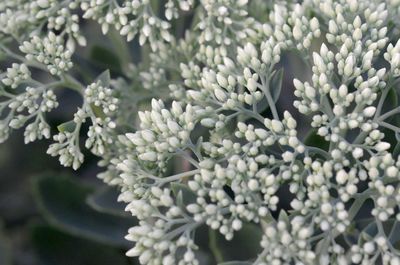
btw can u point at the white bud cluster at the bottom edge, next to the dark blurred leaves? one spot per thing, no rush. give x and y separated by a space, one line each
155 243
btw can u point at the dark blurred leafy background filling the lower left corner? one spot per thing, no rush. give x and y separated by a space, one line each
52 215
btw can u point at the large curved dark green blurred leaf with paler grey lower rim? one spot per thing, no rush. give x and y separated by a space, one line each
62 201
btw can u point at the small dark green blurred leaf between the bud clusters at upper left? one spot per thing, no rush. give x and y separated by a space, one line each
105 58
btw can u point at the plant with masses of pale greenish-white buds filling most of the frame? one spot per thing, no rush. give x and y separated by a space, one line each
275 117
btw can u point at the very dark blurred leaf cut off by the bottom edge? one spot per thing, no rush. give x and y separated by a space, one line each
54 247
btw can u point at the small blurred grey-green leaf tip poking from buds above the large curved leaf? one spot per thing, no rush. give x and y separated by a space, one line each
105 200
